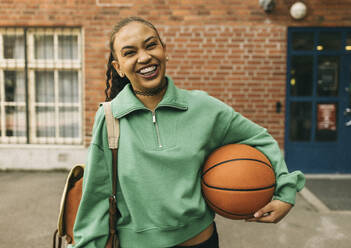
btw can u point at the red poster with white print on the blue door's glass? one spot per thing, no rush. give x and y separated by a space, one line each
326 117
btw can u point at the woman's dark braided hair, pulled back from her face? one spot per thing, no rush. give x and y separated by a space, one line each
115 83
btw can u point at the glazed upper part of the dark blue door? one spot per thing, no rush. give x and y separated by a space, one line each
316 83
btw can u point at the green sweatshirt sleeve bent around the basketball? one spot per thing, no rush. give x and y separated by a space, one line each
242 130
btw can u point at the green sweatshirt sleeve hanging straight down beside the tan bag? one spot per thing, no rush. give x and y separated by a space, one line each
91 227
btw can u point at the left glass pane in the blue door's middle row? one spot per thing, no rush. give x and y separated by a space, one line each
301 82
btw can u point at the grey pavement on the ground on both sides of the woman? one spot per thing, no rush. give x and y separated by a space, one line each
29 203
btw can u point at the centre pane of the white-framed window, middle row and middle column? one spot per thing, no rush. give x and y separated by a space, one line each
44 86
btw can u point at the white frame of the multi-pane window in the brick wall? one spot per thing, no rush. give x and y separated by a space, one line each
33 65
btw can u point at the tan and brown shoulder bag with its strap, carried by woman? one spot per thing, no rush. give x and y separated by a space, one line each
72 192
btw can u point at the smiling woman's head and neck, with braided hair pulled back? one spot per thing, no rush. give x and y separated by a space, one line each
138 55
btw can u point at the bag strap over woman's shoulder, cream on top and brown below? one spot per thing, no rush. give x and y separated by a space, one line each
112 125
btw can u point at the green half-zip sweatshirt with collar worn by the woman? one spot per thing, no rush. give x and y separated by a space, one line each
159 165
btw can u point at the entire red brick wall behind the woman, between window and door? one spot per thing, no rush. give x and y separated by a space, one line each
230 48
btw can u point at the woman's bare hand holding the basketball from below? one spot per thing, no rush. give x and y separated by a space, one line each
273 212
